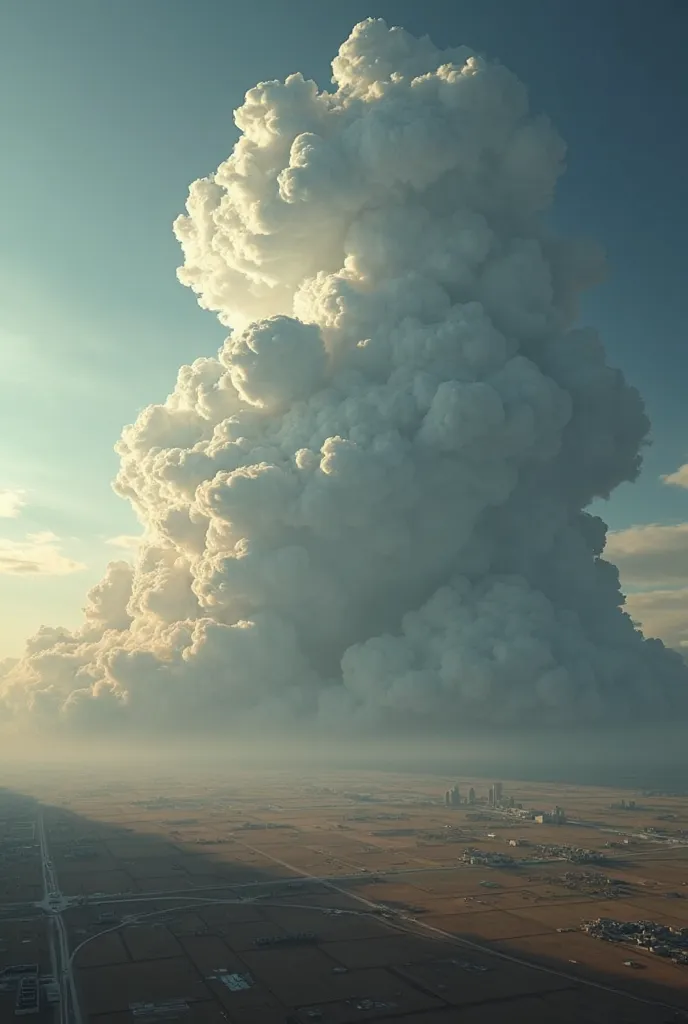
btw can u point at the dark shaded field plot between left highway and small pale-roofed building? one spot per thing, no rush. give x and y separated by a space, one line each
108 989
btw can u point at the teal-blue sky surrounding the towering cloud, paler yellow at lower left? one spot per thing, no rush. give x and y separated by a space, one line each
111 109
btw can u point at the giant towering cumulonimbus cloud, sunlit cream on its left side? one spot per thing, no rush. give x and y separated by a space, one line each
370 507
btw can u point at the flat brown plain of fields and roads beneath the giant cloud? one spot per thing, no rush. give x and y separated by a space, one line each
262 898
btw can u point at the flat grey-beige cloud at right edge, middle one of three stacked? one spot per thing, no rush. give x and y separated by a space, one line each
652 556
